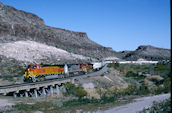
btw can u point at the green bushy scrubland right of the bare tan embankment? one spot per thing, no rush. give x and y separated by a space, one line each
150 79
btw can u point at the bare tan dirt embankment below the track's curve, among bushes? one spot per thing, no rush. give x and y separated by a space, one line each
110 80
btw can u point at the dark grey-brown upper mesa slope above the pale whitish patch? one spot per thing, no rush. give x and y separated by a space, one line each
18 25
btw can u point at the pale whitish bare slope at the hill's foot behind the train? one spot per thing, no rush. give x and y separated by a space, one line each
33 52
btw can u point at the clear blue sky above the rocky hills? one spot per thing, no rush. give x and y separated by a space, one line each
120 24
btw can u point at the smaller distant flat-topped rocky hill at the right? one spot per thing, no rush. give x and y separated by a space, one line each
148 53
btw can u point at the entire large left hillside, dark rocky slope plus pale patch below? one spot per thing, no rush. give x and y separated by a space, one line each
24 39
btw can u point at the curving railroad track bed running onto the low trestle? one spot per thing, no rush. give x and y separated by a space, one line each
37 85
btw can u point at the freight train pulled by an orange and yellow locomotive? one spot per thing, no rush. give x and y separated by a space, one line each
37 72
